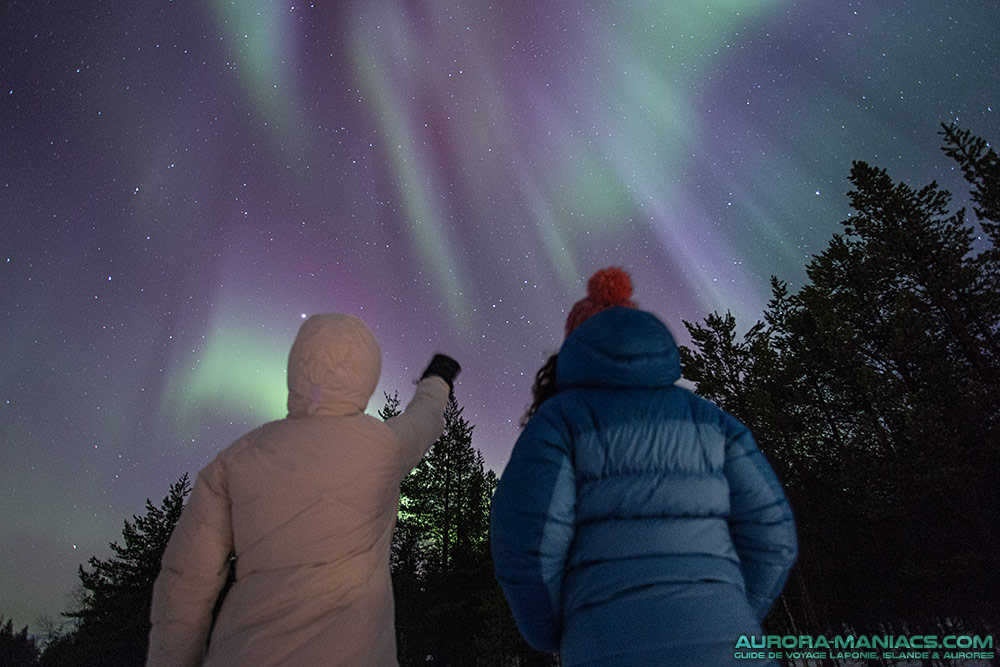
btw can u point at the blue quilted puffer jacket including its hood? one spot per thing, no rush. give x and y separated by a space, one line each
636 523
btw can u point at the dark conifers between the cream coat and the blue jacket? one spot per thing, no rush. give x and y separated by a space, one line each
448 603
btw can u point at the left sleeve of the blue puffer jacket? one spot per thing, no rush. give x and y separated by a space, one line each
532 524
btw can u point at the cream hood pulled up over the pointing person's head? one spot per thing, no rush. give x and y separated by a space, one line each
333 367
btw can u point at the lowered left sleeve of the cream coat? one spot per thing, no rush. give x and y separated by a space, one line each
193 571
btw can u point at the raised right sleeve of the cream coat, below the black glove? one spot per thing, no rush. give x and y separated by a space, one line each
421 423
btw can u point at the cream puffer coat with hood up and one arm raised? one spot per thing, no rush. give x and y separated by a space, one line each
308 505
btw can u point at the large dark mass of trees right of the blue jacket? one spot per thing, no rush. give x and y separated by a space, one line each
874 391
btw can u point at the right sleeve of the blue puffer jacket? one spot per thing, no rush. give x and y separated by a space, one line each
761 522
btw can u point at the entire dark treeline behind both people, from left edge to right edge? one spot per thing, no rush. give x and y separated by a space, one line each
872 389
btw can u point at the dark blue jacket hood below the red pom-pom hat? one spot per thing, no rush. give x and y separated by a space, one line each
619 348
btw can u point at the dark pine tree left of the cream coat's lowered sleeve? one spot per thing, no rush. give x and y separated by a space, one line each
112 615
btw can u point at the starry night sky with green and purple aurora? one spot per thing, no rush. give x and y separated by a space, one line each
181 183
